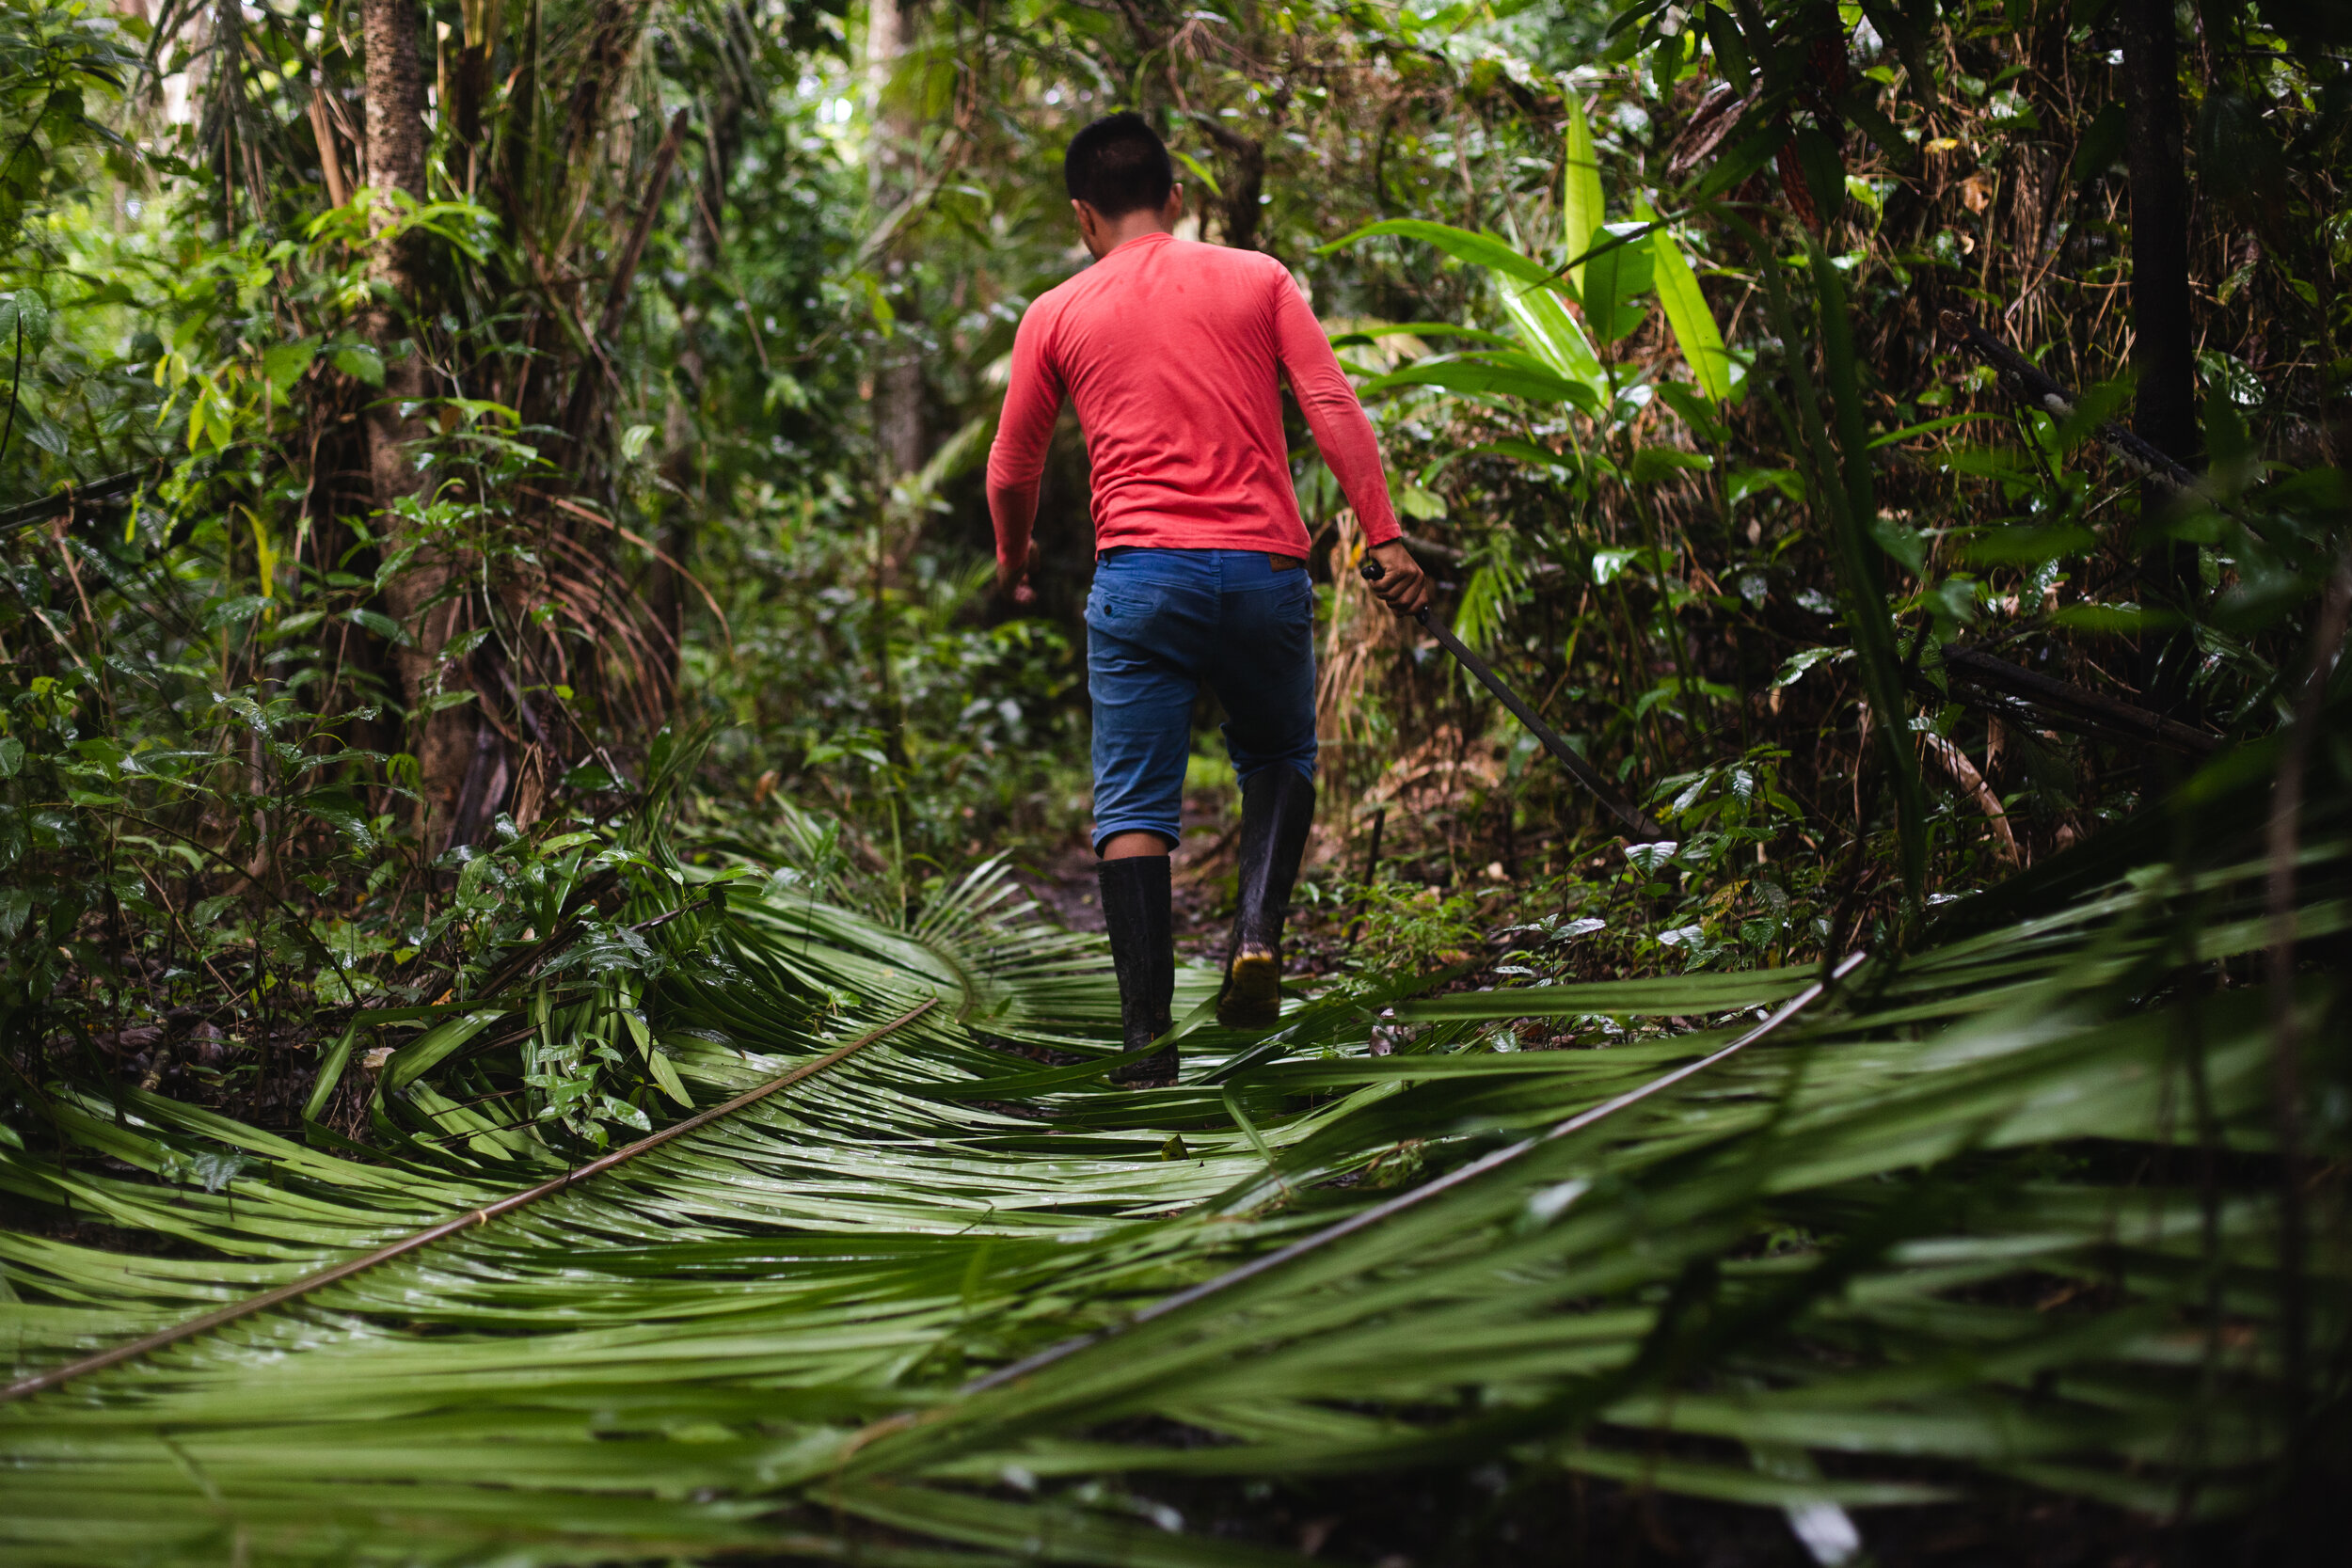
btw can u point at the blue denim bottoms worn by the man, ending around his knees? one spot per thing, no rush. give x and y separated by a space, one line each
1158 626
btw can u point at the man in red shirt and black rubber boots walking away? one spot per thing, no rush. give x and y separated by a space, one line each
1175 356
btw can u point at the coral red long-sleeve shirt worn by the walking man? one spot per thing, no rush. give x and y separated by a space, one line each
1175 356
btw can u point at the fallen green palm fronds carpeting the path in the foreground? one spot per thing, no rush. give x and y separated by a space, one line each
2000 1212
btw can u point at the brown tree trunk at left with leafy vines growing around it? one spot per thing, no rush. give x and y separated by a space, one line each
396 161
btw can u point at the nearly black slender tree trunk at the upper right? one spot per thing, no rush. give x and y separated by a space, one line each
2163 335
